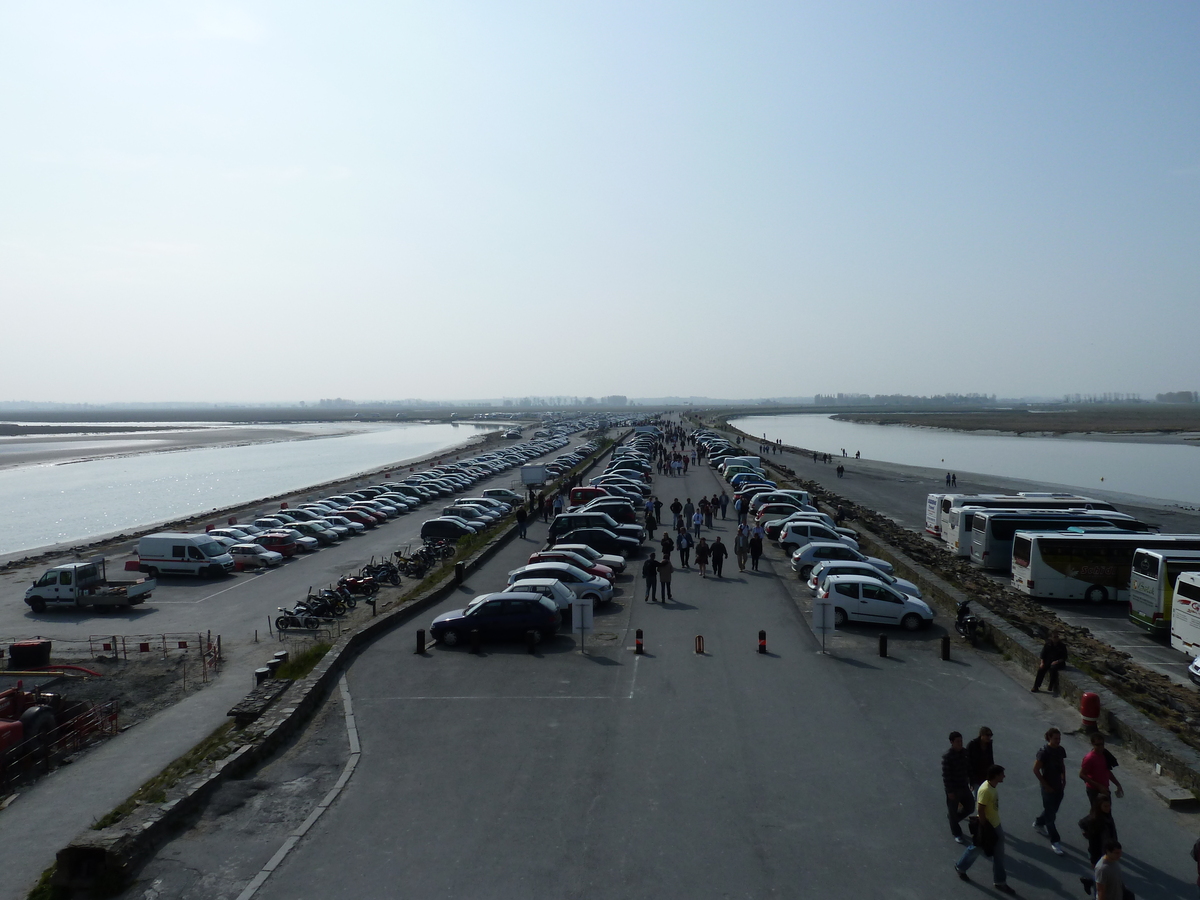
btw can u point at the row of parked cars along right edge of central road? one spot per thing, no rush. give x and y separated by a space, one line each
823 554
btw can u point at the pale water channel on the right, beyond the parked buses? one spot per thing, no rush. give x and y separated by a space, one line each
1162 471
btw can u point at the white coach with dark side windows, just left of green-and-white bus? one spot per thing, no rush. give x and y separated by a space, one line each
1078 566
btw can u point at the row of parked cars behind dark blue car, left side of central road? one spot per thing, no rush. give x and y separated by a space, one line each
586 554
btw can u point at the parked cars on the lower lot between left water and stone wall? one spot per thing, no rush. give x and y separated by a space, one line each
269 541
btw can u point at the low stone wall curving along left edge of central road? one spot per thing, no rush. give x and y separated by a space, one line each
112 856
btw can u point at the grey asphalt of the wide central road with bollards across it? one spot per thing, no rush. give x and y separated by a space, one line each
676 775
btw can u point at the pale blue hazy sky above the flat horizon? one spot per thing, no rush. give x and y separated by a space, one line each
291 201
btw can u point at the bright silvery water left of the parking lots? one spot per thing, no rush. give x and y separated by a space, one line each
85 499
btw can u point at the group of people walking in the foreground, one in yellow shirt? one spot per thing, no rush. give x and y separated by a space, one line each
971 781
